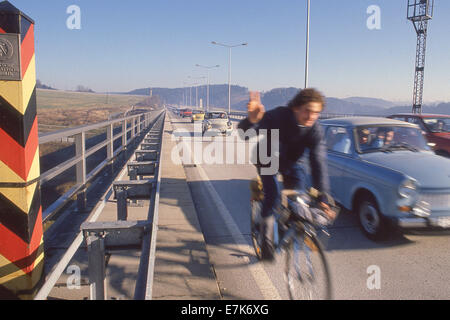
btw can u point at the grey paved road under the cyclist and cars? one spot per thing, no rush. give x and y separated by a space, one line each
411 266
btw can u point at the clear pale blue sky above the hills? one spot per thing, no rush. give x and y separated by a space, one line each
124 45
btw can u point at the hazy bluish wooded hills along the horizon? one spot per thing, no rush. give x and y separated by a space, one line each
279 97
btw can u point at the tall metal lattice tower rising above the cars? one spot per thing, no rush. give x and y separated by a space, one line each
419 12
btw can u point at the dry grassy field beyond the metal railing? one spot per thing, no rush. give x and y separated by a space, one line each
57 110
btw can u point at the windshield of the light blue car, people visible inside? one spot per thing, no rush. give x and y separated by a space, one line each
390 139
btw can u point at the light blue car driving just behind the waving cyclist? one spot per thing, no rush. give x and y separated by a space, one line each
384 171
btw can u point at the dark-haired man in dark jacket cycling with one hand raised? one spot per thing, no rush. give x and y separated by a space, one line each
298 130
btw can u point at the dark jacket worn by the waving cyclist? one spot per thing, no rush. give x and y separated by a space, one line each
294 139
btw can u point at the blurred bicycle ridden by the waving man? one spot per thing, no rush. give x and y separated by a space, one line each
297 222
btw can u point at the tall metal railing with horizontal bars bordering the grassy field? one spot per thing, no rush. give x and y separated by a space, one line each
134 124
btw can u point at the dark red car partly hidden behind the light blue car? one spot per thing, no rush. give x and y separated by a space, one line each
435 127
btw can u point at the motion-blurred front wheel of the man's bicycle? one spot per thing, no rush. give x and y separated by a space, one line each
307 274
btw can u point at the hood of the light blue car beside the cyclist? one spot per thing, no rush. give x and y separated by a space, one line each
430 170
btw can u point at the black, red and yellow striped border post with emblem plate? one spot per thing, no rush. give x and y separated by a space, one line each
21 234
